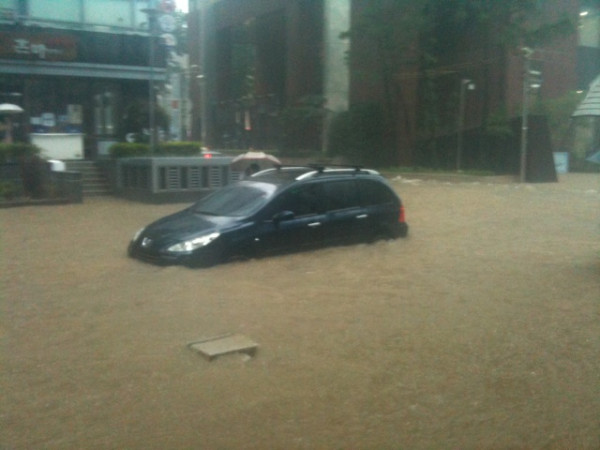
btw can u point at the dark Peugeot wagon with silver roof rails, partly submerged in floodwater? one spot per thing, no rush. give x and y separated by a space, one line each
276 210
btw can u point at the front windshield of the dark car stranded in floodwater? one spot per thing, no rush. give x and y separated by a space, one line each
237 200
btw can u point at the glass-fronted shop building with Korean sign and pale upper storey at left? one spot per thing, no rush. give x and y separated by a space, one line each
77 66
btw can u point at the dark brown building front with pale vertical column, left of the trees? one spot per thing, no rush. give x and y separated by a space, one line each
253 59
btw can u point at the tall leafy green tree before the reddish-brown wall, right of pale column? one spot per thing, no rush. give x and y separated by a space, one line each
395 42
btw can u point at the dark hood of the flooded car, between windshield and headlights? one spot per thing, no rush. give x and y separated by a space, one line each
186 224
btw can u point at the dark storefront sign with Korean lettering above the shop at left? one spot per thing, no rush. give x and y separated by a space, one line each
38 46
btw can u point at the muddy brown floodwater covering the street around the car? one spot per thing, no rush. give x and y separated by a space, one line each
480 330
